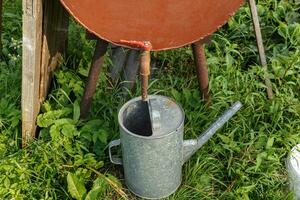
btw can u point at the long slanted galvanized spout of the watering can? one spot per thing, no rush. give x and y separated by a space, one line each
191 146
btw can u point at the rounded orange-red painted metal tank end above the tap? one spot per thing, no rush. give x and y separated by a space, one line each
165 23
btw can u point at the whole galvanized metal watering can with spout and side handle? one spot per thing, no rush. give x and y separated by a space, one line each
153 163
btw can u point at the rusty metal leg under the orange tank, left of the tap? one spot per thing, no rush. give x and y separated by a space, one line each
90 88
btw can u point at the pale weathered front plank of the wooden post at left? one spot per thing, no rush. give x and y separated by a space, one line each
31 58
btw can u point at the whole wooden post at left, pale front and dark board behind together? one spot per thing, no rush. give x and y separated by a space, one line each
44 36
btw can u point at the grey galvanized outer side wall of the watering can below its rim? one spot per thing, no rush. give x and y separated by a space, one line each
152 168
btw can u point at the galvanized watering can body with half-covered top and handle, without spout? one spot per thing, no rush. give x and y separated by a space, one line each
152 164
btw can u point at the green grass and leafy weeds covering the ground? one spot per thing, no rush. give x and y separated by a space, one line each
245 160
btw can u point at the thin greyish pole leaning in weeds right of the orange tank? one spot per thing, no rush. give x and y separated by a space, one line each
260 47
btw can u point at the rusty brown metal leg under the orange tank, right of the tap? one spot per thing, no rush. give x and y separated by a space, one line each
201 67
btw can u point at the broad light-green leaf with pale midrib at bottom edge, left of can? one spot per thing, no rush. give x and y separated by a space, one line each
75 187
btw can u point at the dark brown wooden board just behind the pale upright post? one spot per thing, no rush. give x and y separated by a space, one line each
54 40
